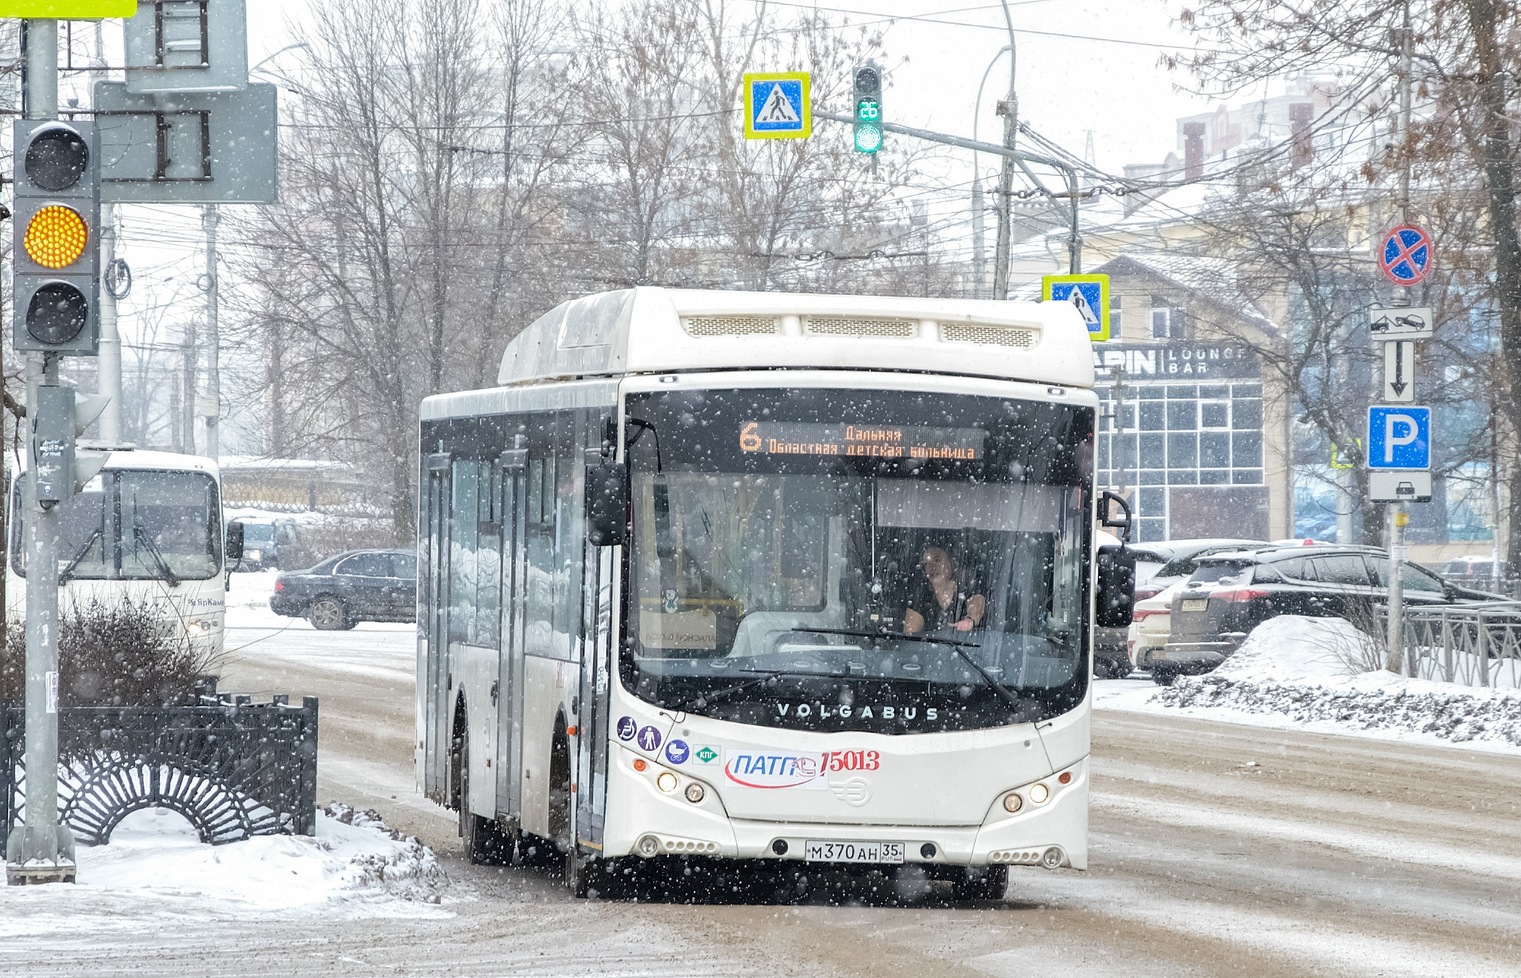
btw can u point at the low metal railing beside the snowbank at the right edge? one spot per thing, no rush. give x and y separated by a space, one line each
1470 646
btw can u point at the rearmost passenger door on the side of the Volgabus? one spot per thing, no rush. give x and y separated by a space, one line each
433 668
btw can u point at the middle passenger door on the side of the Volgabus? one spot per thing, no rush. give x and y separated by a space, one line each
510 659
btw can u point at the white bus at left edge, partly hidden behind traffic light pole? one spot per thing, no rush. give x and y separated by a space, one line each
148 533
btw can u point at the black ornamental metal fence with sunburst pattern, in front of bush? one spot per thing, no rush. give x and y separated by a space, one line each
232 767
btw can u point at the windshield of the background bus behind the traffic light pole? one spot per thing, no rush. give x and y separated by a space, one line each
132 524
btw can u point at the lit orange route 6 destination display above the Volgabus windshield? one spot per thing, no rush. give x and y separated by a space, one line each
862 440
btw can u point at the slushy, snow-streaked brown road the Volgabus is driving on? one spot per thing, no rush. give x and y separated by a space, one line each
1218 849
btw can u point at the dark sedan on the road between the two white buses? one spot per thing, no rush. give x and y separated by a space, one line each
355 586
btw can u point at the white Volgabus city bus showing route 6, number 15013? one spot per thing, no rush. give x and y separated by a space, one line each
665 567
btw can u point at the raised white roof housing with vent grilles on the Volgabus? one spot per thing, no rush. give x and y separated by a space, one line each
652 331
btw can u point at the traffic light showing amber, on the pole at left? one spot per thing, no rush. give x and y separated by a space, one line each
57 249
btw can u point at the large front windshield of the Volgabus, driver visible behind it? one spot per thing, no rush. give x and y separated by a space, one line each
859 560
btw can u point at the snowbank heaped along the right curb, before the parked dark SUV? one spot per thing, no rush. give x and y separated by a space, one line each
1312 670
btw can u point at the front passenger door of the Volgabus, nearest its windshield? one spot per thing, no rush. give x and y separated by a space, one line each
597 641
